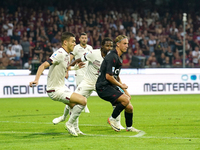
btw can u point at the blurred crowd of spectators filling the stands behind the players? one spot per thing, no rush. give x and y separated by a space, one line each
31 30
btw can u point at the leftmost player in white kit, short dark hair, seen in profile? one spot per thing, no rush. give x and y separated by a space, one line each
58 68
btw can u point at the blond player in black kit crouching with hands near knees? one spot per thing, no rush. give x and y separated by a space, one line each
108 84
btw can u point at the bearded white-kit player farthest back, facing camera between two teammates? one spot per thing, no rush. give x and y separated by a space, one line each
78 52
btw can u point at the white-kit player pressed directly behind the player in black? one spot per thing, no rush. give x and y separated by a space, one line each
87 86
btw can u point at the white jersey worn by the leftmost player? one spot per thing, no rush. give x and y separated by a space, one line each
57 71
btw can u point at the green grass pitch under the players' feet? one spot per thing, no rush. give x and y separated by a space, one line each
171 122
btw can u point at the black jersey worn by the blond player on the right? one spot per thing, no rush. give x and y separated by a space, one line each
111 64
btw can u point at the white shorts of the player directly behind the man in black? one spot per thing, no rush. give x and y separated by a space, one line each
85 88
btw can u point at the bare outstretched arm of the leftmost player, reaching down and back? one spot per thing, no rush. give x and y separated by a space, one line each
39 72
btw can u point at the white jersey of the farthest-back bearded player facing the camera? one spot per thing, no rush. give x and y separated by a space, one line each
78 52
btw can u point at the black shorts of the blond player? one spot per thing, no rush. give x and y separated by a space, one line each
109 93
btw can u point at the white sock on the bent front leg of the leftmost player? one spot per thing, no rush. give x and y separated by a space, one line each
76 111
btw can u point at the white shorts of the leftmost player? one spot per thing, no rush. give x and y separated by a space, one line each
61 95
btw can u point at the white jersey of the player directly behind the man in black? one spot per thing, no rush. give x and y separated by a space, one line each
94 59
